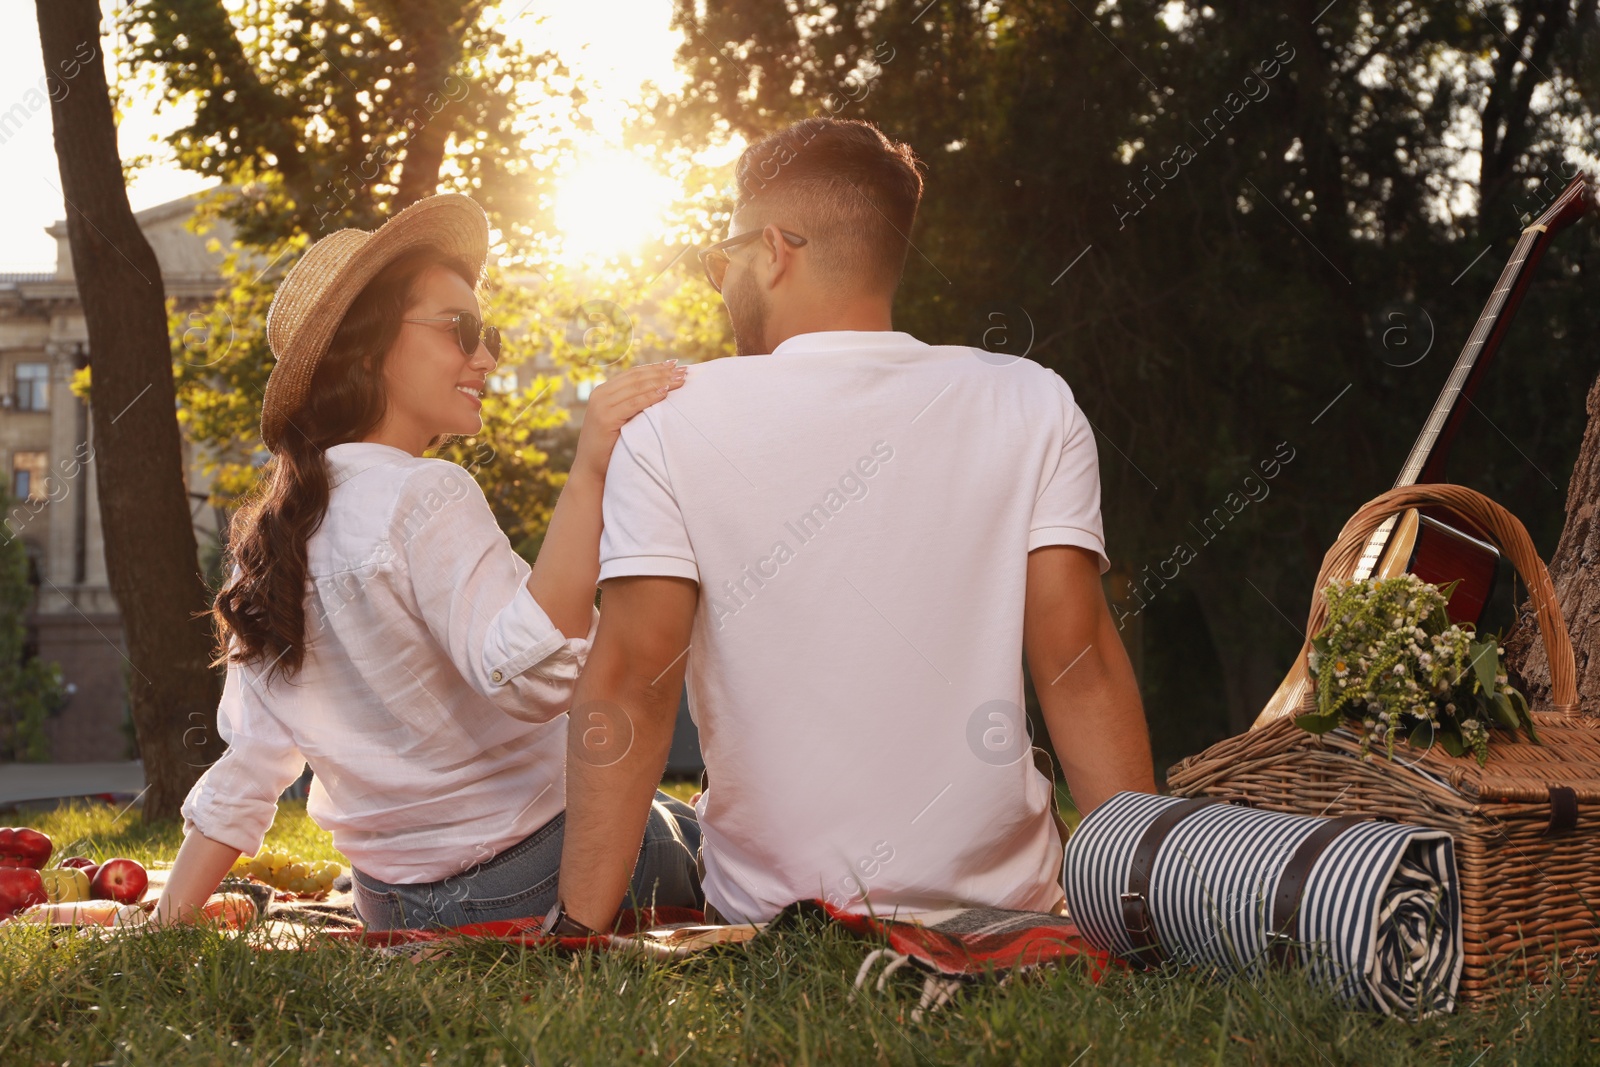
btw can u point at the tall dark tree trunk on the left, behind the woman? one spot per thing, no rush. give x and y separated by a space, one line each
151 553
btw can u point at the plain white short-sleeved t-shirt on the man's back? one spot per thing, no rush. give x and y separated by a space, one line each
858 510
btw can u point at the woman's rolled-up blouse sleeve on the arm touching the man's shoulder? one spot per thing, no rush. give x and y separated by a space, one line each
471 589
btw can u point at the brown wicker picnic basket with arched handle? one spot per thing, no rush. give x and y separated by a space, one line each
1527 826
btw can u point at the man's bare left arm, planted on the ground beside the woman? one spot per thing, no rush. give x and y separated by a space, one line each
618 740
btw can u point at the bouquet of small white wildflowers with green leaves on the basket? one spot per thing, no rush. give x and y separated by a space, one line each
1393 660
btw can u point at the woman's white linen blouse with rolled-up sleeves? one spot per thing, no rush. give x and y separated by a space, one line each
433 697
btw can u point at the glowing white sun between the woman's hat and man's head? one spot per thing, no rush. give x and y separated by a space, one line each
610 204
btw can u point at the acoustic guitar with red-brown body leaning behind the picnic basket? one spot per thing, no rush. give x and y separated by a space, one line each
1436 545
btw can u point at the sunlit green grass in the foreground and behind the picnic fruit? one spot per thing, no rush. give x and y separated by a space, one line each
196 997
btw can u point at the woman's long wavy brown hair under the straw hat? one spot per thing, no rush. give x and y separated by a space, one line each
262 610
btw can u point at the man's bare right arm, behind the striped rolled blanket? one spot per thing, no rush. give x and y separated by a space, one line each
1084 679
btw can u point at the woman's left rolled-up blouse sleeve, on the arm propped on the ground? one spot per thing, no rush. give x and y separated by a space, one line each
238 797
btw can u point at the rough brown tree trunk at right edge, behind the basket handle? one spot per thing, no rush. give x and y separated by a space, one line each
1572 572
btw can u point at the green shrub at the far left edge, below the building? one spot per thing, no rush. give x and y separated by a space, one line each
31 690
